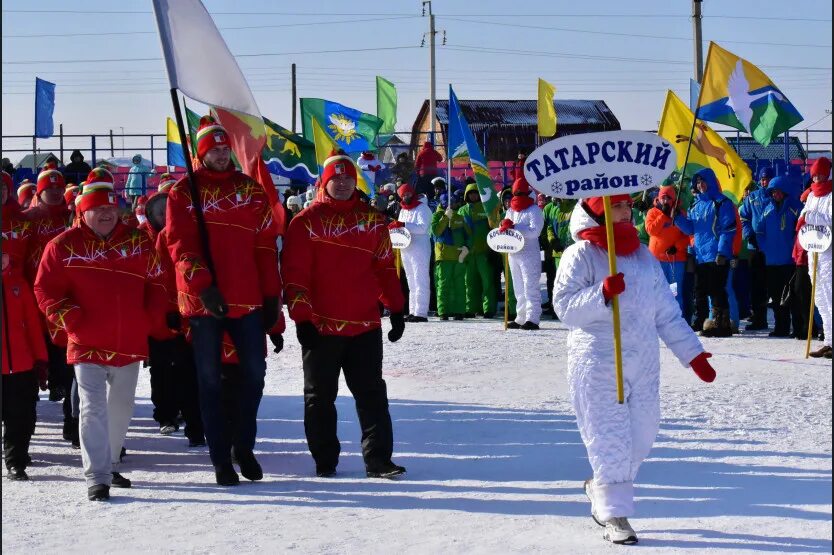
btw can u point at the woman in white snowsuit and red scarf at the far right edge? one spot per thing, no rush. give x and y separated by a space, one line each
817 211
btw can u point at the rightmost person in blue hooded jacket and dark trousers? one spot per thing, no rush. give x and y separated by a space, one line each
775 233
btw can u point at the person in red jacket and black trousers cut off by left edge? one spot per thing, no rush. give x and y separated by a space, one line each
24 351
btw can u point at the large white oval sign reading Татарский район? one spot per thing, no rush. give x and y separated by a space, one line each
600 164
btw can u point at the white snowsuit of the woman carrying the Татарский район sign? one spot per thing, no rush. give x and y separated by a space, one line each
617 437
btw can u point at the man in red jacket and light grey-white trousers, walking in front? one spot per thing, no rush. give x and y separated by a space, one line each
102 284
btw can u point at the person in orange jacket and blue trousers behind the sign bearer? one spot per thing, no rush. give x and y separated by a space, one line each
666 241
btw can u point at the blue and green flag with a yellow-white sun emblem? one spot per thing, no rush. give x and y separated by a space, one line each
352 130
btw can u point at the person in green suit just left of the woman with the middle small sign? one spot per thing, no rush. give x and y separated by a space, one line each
480 290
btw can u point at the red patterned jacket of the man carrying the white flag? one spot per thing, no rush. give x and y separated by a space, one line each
241 236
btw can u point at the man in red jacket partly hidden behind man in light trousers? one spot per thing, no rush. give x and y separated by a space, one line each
49 216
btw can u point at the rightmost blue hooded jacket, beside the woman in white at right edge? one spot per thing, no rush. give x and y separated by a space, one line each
775 230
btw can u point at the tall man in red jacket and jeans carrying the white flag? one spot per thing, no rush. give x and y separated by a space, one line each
241 296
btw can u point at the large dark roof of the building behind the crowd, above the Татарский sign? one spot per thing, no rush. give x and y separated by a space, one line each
489 113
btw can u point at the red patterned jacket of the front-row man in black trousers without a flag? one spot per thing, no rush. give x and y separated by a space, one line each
338 263
